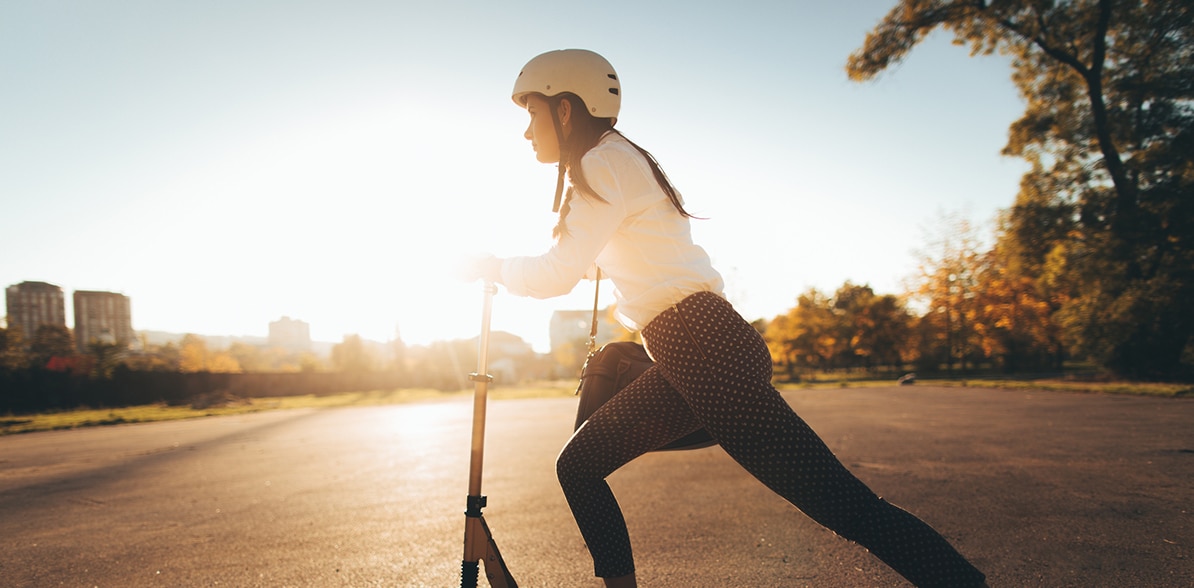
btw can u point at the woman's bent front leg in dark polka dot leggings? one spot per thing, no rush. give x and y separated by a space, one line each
645 415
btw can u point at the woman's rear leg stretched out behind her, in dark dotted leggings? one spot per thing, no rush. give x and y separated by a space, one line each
721 366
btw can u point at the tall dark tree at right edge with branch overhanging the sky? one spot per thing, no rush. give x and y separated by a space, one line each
1110 132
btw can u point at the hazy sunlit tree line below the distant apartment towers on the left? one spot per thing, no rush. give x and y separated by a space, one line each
47 373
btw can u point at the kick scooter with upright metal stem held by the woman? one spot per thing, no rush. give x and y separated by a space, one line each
479 546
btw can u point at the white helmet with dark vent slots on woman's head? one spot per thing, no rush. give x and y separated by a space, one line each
577 71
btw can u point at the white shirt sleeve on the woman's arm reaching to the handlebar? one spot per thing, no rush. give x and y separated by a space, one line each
590 224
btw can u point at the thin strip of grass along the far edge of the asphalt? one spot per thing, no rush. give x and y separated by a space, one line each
97 418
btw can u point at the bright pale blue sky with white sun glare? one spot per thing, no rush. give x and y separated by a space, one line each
229 163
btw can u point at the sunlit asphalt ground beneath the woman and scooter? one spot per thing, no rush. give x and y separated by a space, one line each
1037 489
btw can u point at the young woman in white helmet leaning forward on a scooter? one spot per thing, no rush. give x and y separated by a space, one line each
712 369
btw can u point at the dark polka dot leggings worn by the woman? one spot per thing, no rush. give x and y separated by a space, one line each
713 371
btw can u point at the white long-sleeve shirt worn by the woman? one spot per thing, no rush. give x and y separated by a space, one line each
637 237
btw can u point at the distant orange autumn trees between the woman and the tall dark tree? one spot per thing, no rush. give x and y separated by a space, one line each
963 313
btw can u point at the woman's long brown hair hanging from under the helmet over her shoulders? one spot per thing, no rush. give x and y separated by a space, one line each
587 132
